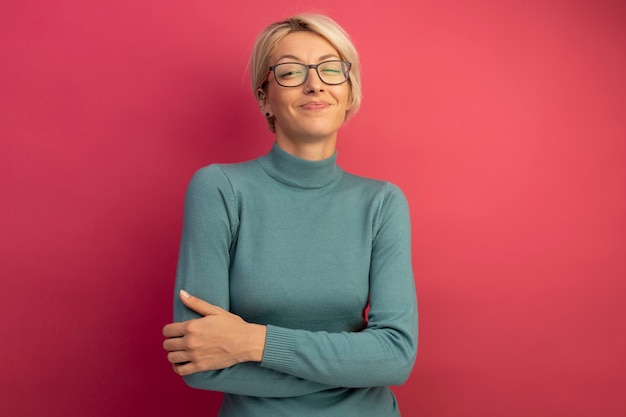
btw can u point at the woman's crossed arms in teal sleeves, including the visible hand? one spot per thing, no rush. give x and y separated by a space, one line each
217 350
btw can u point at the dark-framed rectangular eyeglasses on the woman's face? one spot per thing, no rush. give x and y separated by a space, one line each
294 74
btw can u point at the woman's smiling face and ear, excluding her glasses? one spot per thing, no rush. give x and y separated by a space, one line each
313 111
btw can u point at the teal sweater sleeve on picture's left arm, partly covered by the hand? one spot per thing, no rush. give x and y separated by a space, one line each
209 230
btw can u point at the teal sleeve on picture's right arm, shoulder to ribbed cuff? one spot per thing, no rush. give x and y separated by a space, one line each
384 352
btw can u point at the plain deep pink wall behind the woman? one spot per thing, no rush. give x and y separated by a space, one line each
503 121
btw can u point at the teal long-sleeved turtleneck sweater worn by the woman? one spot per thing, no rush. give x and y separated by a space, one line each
302 247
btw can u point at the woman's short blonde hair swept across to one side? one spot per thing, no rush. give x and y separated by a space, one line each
315 23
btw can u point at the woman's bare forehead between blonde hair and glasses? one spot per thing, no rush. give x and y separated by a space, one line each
303 46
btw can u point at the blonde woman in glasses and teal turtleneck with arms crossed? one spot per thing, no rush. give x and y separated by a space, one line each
285 254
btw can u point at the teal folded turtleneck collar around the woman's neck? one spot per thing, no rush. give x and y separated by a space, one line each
298 172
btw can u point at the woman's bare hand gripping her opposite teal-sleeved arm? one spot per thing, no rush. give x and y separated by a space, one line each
217 340
